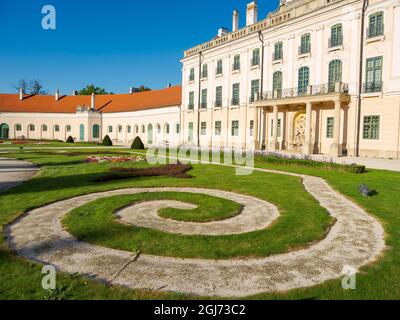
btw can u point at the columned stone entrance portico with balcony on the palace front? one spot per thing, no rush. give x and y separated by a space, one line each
298 105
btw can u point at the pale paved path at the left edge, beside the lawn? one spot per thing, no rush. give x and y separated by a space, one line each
13 172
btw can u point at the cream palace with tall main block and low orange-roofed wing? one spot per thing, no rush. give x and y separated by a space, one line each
312 77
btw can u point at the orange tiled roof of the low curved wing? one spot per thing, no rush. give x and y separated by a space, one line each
106 104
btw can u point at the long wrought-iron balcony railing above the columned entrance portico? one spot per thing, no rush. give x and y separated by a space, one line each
311 90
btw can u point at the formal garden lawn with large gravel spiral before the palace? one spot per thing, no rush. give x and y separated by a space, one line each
126 229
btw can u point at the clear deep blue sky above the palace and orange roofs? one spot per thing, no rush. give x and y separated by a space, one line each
113 44
